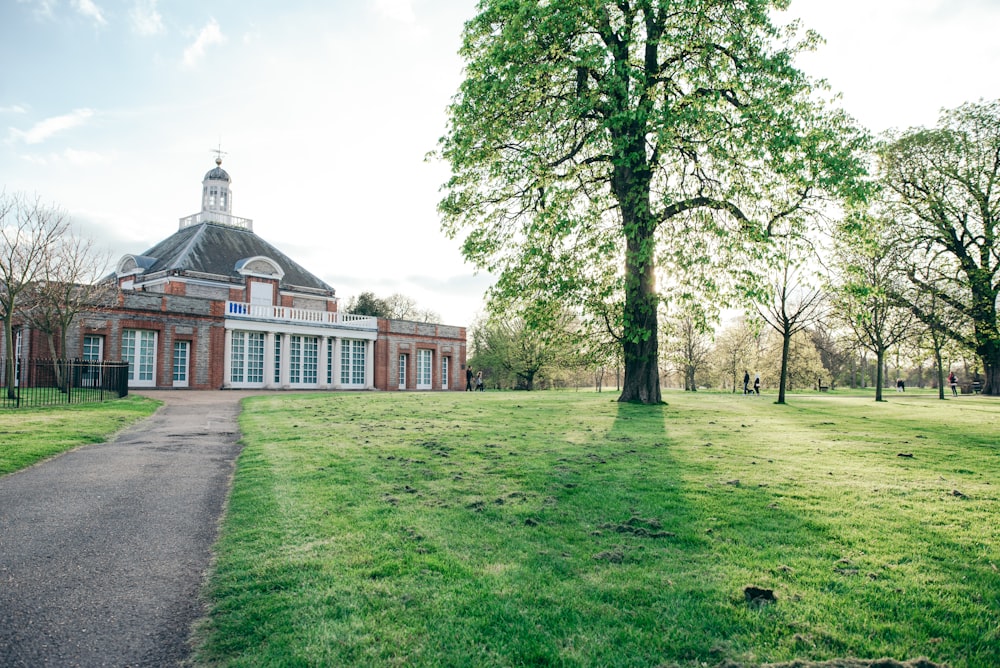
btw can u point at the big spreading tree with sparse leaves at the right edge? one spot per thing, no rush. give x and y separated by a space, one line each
943 186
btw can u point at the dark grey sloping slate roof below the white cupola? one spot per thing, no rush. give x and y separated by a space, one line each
211 248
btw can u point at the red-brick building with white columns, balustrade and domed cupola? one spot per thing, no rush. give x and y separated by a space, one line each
215 306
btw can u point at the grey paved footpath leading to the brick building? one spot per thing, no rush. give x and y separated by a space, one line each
103 549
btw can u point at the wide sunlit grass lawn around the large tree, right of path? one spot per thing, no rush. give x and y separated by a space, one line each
563 528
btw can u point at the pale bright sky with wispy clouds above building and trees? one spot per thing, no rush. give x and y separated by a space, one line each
113 110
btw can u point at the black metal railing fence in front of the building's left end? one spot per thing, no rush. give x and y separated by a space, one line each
41 382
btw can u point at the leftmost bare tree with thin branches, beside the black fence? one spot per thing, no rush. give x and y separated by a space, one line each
29 230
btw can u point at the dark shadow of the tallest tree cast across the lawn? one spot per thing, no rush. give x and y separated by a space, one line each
729 540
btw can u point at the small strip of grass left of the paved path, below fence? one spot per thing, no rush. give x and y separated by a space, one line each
28 435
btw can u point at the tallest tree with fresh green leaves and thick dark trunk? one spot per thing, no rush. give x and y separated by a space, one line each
590 138
